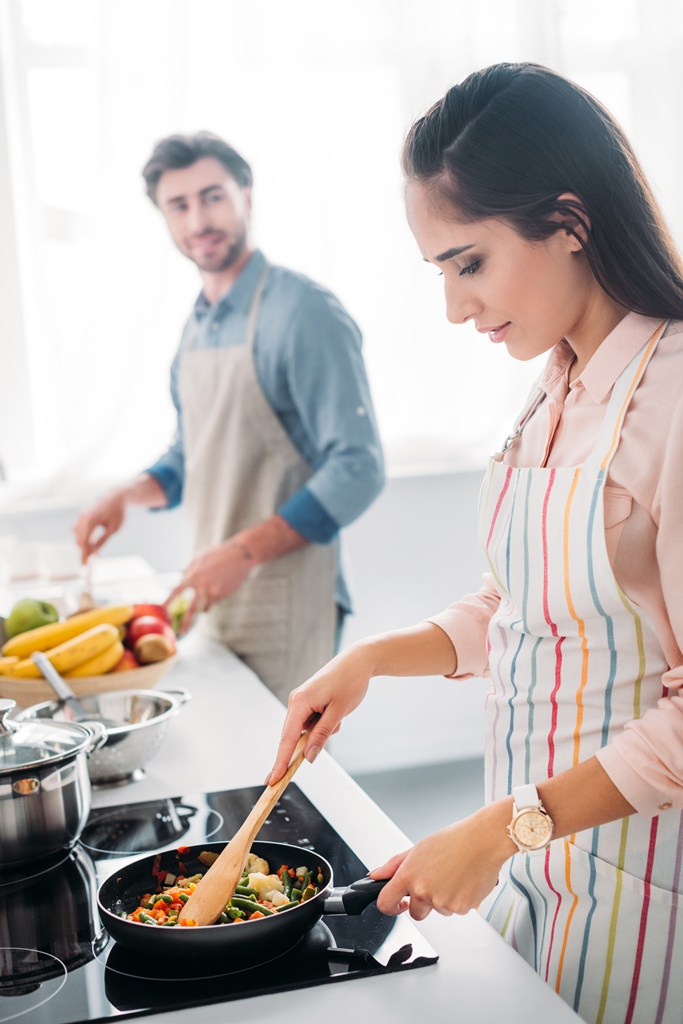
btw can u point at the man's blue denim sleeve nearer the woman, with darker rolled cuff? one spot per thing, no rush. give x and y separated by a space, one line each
329 390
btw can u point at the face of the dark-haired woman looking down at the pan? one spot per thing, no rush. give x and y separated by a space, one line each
528 294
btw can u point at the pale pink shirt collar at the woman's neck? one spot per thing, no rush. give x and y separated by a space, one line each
613 357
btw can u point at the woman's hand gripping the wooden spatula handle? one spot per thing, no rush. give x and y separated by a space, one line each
322 703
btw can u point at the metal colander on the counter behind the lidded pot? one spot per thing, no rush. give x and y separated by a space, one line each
143 718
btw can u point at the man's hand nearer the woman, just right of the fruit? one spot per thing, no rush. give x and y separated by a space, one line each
214 574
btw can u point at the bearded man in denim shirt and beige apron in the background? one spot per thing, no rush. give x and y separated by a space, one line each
277 445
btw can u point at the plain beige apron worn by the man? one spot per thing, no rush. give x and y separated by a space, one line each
240 467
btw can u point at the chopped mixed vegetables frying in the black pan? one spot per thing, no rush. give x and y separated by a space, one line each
260 894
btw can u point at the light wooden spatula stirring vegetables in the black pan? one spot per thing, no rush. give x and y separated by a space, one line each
212 893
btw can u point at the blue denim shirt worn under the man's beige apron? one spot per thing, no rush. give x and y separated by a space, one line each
310 365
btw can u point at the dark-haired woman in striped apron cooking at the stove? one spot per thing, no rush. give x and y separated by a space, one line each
526 194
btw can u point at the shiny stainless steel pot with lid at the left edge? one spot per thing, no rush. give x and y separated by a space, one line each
45 785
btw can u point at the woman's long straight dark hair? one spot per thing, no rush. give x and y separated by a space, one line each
510 140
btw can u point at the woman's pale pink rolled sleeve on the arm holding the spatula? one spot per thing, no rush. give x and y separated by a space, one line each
466 625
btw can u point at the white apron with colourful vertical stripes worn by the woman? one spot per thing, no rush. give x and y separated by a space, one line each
573 660
